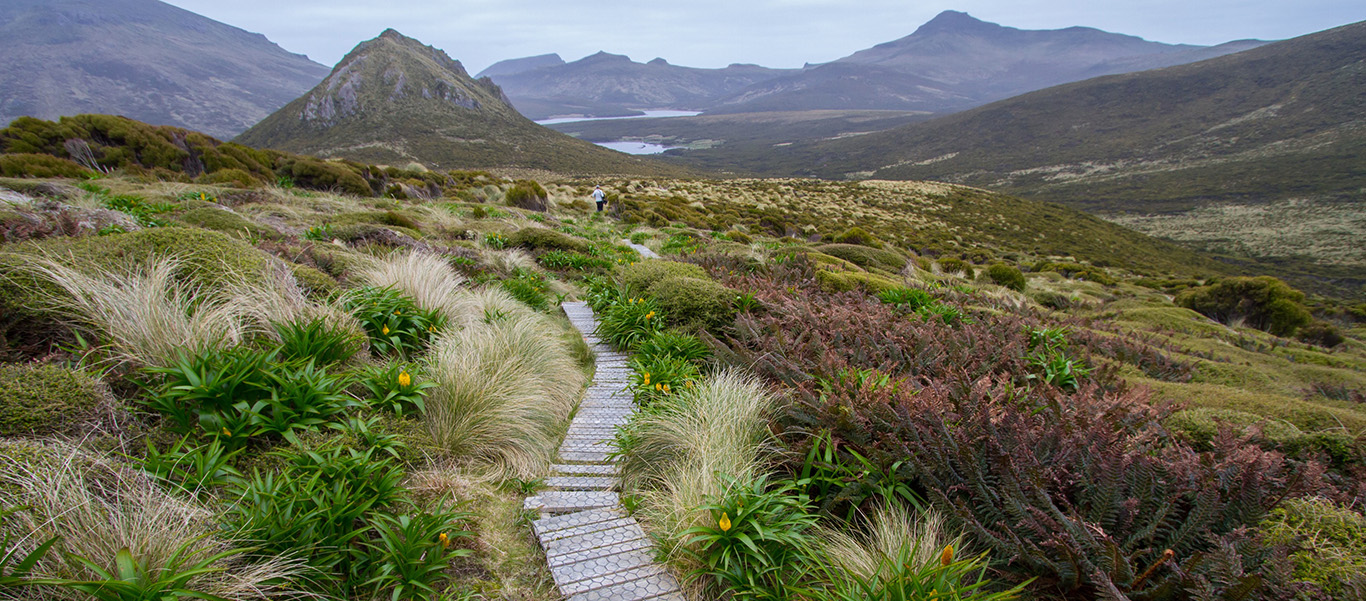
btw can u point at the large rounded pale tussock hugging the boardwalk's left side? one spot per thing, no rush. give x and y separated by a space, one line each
502 390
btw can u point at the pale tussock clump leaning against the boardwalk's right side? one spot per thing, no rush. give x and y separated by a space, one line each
688 445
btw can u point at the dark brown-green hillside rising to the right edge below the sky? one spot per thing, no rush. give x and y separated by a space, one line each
1277 122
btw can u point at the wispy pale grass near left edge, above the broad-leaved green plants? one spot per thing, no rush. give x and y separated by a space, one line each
144 316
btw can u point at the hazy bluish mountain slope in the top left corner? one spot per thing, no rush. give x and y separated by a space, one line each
143 59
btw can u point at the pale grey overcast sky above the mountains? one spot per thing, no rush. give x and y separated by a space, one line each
715 33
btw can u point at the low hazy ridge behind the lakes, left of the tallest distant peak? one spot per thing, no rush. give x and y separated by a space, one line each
614 85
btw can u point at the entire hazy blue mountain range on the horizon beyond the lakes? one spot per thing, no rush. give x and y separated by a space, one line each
951 64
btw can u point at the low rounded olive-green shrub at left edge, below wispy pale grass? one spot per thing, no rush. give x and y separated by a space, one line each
42 400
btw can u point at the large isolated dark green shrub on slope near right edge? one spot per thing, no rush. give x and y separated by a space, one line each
1263 303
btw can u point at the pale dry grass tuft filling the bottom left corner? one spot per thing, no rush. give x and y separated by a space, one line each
99 509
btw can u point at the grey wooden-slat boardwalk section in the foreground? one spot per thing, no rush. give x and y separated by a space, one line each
596 551
